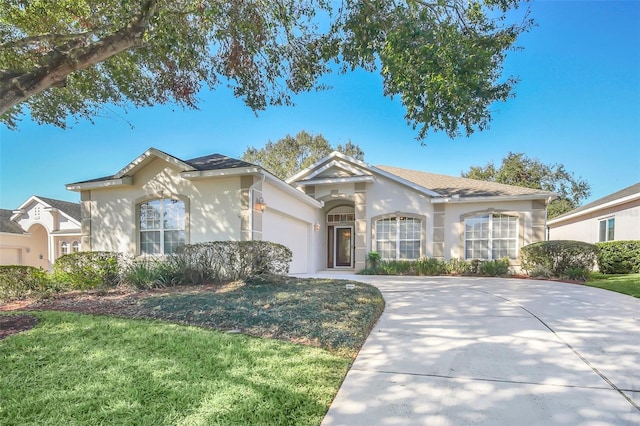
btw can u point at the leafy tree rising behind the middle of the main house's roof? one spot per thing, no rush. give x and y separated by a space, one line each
291 154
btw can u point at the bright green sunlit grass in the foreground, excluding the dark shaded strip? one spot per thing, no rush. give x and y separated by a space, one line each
92 370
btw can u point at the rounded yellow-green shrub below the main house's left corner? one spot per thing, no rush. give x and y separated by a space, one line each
88 269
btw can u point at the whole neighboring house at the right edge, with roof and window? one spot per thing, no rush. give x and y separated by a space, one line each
615 217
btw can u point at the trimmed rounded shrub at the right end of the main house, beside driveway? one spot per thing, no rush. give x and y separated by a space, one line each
558 257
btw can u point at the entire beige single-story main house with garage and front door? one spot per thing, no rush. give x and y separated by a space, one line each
331 214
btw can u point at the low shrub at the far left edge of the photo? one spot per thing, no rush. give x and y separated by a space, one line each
17 281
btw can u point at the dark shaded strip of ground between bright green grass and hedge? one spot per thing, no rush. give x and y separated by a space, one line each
312 312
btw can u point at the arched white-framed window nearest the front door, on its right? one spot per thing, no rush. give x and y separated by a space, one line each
399 238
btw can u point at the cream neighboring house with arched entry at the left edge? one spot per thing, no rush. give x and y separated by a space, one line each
39 231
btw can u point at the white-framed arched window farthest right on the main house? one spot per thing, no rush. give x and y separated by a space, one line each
491 236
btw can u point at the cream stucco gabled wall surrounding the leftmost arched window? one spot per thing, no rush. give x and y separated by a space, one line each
212 207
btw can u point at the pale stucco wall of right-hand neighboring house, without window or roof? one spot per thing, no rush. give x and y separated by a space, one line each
587 227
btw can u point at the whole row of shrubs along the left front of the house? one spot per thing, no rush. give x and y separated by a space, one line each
193 264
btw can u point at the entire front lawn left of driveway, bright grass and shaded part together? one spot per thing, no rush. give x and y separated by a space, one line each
92 369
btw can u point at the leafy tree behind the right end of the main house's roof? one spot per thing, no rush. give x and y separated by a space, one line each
519 170
